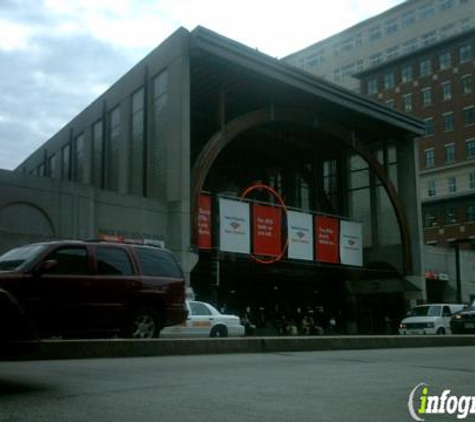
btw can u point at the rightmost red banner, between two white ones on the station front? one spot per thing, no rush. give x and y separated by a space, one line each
327 239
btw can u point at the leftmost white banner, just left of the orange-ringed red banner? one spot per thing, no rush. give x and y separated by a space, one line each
234 228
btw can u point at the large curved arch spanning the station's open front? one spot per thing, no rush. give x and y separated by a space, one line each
235 127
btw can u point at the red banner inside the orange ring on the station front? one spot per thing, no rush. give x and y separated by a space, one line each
267 230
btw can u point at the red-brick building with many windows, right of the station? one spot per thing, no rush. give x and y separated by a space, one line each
437 84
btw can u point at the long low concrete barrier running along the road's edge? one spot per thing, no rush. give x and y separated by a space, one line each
109 348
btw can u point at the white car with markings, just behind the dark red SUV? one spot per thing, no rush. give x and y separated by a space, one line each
204 320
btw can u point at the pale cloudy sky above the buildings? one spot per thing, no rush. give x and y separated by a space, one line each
57 56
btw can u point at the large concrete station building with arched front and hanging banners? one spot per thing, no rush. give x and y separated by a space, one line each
278 191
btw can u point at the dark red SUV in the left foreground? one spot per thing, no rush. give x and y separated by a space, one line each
89 289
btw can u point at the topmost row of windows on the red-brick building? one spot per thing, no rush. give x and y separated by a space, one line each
409 71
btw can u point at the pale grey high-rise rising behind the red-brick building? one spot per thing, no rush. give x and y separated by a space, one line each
402 30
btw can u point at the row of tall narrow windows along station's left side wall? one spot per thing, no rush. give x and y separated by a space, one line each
69 163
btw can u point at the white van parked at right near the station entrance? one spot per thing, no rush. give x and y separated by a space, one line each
429 319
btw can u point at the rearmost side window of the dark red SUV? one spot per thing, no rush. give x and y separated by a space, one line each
157 263
